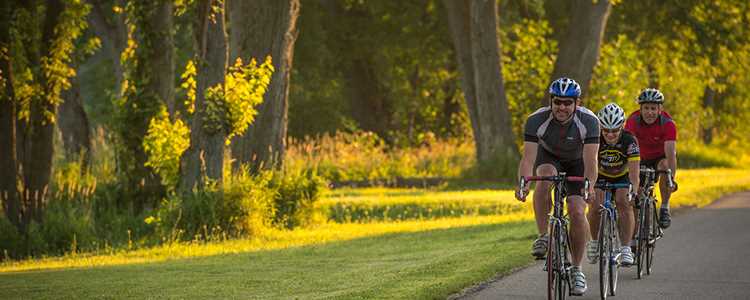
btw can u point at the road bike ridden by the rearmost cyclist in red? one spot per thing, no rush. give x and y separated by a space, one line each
647 231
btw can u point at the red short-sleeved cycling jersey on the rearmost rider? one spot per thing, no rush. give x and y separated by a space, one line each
651 137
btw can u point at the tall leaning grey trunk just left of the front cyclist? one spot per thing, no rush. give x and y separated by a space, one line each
474 30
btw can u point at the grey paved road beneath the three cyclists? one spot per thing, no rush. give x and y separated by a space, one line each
704 255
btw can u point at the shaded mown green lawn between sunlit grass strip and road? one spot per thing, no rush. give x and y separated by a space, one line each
428 264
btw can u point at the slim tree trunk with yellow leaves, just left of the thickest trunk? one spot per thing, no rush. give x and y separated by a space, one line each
204 158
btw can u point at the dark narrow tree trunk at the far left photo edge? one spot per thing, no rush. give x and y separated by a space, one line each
8 159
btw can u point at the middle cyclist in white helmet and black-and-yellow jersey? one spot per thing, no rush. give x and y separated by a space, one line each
619 159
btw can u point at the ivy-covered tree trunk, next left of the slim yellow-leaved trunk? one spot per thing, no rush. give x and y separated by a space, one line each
152 79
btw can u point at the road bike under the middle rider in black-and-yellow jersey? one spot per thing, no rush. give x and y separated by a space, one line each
609 238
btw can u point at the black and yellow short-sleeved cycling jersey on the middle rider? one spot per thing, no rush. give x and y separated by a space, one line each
613 158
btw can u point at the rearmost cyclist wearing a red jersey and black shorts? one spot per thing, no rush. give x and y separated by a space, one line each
657 137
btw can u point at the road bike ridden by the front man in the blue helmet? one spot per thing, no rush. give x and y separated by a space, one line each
558 247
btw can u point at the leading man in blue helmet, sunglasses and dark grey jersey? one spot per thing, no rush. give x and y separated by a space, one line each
563 137
